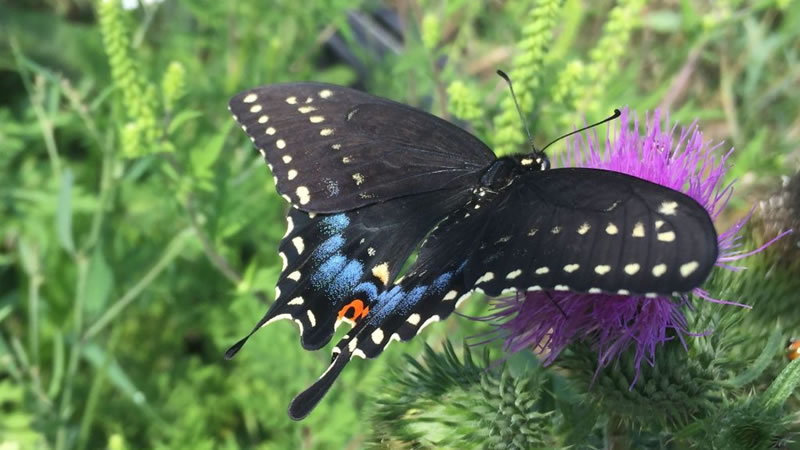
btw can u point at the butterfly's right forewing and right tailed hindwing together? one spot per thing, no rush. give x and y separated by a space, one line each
581 230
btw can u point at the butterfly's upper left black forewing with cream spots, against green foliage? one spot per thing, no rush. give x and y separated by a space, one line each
335 149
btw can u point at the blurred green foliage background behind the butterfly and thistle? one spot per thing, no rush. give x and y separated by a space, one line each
138 228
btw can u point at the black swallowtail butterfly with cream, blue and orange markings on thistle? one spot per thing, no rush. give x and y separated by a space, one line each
371 181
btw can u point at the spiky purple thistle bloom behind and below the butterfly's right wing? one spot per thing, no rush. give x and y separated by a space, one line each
613 323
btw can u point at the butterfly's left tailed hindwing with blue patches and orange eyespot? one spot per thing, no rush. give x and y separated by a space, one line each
334 265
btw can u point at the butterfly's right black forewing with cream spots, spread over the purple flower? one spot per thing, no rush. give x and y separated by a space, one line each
590 230
